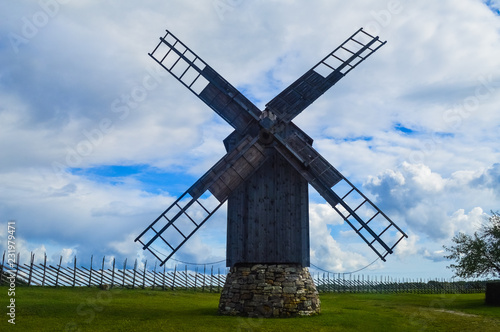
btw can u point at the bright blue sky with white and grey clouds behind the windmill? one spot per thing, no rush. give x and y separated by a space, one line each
96 139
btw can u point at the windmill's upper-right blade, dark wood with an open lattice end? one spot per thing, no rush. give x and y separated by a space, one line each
305 90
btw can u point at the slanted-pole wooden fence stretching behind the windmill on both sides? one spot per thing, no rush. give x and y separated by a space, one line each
206 279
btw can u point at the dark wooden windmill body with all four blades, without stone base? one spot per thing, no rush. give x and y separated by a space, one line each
269 163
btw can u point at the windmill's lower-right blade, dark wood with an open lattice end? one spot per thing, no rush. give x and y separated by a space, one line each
365 218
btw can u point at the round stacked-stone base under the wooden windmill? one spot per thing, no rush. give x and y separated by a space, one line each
263 290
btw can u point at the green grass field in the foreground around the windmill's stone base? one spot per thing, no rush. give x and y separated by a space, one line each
91 309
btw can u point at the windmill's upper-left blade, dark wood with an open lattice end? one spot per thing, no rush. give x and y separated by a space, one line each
189 69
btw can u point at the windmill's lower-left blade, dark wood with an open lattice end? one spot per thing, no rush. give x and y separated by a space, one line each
193 208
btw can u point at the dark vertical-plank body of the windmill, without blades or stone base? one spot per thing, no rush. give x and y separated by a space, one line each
268 217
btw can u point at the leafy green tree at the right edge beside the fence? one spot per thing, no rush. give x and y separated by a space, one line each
477 255
